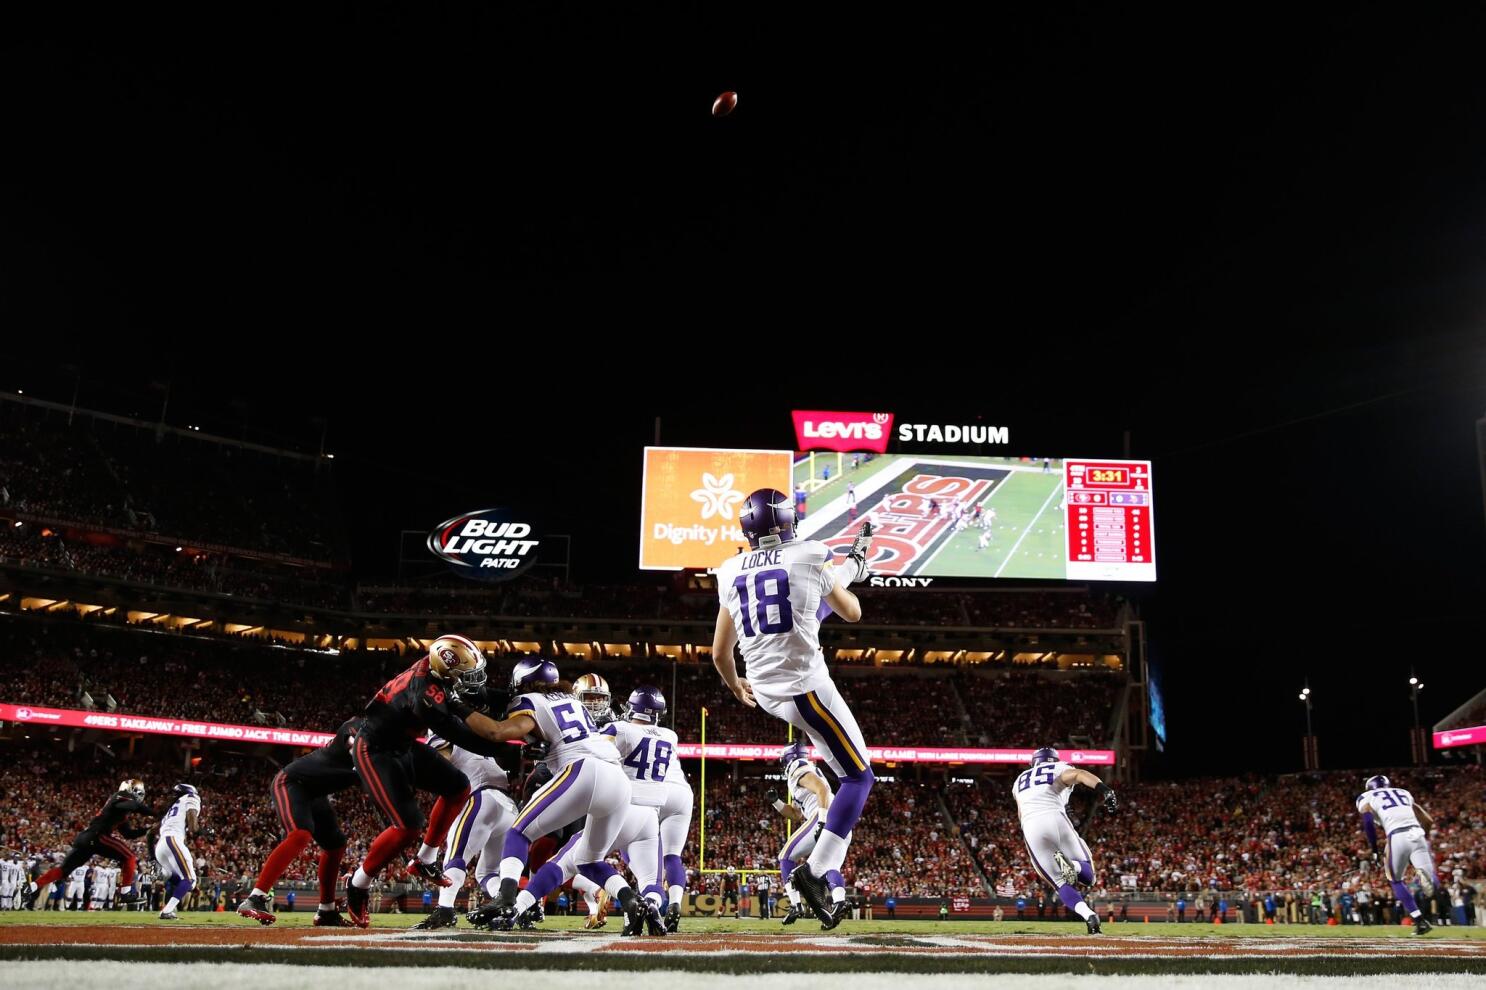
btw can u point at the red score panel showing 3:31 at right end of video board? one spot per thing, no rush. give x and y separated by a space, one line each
1109 518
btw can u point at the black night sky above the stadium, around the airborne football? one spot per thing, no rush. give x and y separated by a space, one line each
491 243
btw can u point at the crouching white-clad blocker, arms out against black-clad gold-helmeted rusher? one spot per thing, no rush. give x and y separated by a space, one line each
588 783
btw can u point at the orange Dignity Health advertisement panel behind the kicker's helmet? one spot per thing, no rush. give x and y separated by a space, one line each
692 500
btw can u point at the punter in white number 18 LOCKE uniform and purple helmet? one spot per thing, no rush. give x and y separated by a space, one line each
773 598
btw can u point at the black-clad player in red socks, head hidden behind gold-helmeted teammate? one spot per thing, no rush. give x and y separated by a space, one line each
301 796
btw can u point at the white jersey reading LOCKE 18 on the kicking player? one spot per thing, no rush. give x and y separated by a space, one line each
773 597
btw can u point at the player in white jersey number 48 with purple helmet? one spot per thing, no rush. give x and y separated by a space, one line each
647 753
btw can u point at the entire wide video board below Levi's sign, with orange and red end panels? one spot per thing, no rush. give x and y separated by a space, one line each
953 517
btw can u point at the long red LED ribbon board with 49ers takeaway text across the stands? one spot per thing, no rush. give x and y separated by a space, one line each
192 729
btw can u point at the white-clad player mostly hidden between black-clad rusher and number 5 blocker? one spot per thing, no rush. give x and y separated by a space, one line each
478 833
